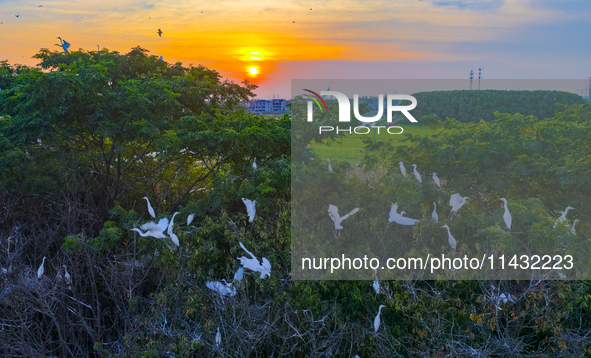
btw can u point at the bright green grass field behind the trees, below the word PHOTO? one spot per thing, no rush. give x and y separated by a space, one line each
350 147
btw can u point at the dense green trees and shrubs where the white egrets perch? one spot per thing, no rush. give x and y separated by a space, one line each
84 139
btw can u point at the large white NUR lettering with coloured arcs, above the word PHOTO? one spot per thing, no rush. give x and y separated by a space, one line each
345 106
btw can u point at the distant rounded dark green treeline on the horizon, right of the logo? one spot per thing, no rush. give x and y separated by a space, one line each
472 106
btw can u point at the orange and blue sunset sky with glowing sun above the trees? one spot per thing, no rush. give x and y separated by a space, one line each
272 42
